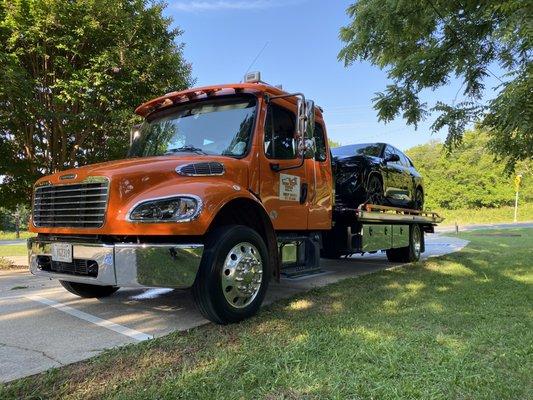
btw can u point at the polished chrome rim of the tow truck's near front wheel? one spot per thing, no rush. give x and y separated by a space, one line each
242 274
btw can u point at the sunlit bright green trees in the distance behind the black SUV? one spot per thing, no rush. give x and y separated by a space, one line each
469 177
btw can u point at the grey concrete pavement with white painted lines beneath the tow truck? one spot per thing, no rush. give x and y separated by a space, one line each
44 326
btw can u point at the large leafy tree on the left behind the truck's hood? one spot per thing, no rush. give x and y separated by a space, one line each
71 74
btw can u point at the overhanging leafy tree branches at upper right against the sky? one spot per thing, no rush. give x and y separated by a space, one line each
423 44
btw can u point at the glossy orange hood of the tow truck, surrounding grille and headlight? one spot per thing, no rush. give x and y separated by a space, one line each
132 181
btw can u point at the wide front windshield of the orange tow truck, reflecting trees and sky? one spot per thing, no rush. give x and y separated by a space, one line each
218 127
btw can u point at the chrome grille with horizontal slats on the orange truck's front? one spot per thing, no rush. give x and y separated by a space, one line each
80 205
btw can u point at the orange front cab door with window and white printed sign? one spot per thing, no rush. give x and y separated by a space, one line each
284 193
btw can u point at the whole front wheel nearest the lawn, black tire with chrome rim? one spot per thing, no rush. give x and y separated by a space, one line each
233 276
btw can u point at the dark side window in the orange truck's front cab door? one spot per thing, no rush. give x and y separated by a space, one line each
279 133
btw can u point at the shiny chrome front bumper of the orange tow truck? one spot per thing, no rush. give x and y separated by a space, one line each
127 265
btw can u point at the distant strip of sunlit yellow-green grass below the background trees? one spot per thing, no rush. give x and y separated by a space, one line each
487 215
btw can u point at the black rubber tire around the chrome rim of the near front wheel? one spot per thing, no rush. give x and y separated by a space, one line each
208 289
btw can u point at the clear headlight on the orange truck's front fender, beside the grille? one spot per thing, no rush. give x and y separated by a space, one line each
172 209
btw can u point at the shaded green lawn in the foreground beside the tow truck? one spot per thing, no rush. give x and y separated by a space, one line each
456 327
